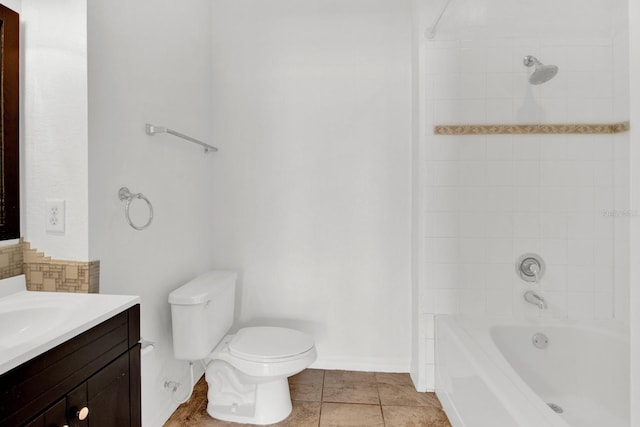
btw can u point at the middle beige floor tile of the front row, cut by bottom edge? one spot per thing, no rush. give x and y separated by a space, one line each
348 415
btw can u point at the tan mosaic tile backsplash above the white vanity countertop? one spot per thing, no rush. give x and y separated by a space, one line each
45 274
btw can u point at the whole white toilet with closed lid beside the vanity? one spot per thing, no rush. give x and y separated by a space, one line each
247 371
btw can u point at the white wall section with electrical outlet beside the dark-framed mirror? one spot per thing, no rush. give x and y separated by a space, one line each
54 123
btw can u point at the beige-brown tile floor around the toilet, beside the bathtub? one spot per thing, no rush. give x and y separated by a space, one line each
337 399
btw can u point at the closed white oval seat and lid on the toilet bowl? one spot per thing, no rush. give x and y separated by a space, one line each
269 344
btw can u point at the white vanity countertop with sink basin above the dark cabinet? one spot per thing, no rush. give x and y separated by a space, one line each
33 322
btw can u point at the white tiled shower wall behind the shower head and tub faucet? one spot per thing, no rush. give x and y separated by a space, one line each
490 199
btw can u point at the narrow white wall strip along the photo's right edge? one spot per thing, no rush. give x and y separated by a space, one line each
634 55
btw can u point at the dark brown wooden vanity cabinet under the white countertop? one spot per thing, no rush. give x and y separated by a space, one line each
92 380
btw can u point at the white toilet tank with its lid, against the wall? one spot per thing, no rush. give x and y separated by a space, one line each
202 313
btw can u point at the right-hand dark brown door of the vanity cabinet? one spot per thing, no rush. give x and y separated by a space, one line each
108 395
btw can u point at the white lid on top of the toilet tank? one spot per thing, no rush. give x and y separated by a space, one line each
203 288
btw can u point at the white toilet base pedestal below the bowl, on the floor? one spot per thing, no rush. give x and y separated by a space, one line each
231 399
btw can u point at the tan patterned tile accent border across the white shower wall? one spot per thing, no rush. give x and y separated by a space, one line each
553 129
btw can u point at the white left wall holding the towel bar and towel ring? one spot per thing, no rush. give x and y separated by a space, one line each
150 62
